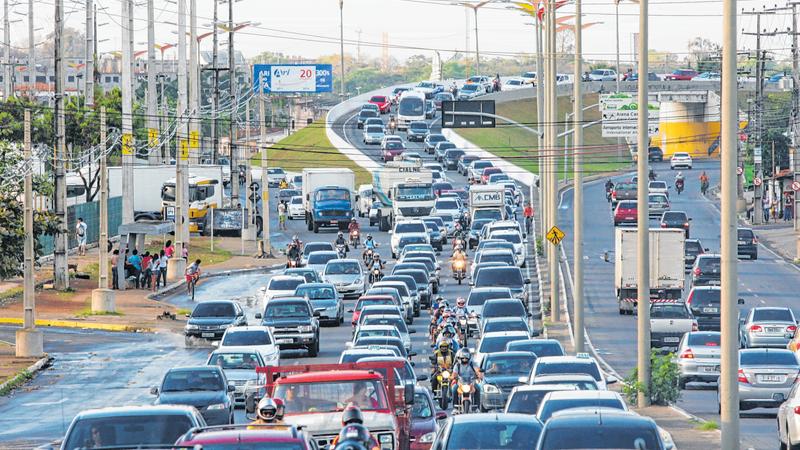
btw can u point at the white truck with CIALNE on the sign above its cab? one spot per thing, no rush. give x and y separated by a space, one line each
404 189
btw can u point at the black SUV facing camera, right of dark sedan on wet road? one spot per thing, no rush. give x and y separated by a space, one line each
294 324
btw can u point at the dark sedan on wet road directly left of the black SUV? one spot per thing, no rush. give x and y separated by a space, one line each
209 320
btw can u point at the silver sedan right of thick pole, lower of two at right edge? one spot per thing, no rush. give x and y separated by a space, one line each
765 377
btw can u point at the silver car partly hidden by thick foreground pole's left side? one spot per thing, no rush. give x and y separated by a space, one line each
698 357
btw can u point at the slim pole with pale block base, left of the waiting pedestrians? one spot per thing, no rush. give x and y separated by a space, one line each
103 297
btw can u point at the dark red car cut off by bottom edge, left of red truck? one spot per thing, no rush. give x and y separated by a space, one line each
248 436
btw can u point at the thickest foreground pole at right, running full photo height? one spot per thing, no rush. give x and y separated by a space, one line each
729 344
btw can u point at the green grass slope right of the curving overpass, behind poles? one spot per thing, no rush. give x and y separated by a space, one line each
520 146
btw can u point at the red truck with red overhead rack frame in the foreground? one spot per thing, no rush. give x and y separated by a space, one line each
316 394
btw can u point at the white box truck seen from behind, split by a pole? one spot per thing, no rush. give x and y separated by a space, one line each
666 265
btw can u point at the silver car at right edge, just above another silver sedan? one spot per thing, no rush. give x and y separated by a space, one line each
767 327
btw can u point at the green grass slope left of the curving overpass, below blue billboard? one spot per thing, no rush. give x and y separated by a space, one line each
310 148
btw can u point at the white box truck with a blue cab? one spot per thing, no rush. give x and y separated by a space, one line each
328 197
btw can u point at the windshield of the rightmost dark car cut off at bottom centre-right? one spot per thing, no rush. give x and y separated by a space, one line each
619 438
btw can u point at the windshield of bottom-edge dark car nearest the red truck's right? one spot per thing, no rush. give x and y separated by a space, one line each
494 434
